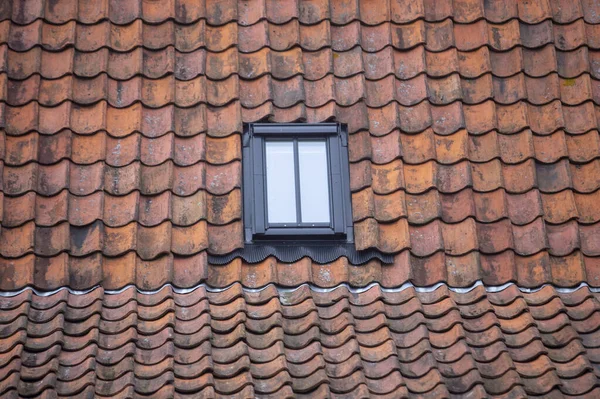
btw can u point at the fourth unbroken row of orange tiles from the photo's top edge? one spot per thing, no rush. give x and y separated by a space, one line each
156 93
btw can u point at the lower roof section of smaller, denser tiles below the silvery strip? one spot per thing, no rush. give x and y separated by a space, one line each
301 343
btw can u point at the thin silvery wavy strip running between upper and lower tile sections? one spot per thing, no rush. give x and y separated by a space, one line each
312 287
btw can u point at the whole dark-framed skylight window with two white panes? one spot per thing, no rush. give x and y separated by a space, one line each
296 182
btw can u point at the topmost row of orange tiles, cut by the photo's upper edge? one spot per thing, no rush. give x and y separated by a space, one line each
221 12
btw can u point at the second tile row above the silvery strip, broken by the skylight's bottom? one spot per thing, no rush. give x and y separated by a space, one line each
166 237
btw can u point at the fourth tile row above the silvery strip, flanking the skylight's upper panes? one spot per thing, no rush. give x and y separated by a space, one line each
49 180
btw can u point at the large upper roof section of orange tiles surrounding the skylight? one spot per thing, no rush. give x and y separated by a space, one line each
474 144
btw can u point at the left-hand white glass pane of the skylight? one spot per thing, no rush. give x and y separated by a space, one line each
281 187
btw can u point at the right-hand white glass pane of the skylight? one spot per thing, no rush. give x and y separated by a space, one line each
314 184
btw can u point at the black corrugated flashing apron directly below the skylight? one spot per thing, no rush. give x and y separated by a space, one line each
289 253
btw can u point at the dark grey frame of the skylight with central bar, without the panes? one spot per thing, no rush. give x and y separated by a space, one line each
256 227
